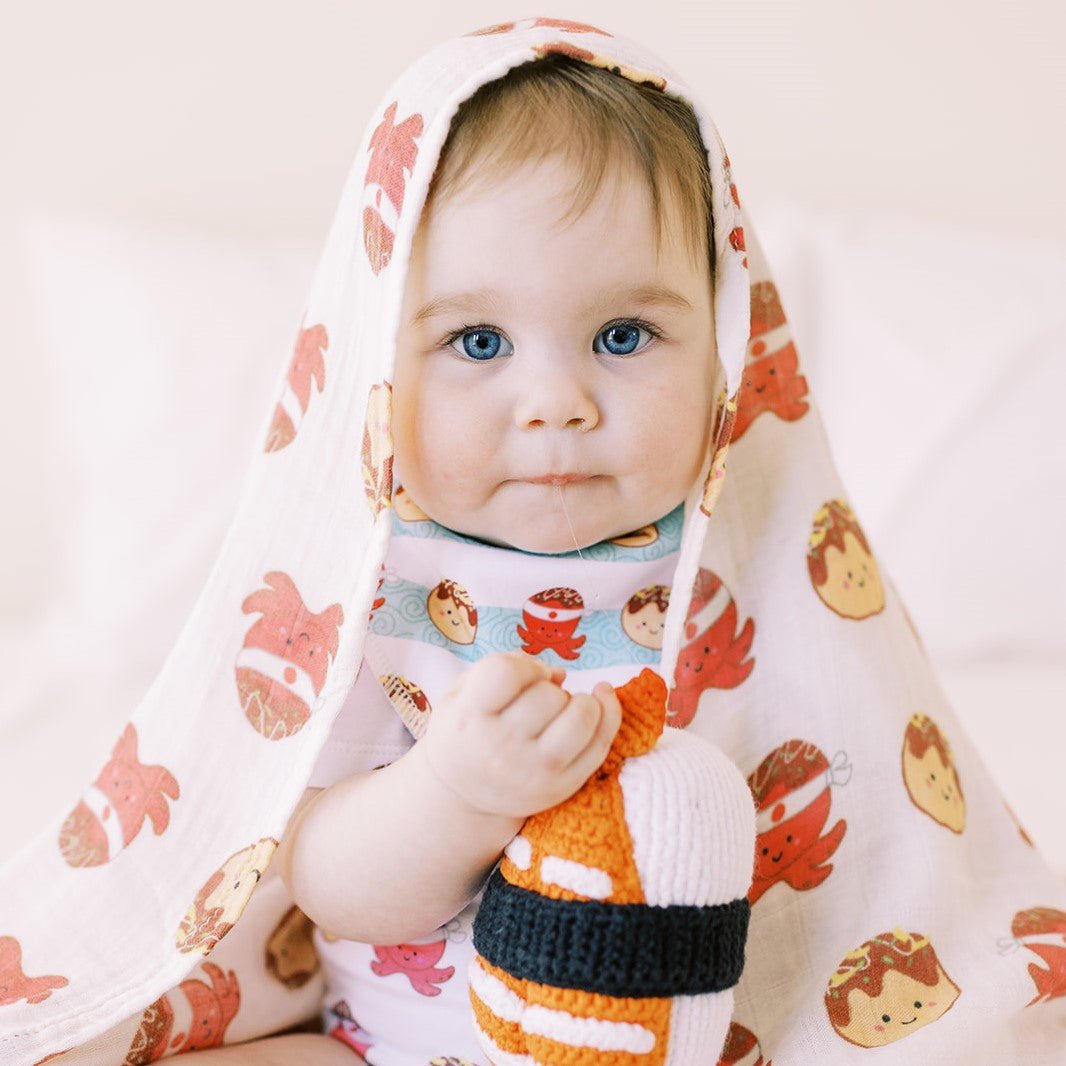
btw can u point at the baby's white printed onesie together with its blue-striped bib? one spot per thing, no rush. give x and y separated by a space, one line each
599 613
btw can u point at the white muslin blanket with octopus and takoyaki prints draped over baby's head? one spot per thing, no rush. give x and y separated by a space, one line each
144 903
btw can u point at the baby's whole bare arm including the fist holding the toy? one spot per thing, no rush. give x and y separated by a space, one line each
390 857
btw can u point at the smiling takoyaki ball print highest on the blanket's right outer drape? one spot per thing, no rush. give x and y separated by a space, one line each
842 566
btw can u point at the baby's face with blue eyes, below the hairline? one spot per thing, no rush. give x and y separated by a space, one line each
546 362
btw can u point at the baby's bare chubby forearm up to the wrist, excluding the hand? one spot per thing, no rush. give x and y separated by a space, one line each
390 857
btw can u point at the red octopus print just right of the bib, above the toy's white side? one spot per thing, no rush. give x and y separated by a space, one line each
715 655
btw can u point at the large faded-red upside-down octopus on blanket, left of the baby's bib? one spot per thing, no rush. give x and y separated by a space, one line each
283 666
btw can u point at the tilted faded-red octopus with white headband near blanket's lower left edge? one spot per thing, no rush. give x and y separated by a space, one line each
115 807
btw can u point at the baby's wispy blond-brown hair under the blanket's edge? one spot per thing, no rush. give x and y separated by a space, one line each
593 118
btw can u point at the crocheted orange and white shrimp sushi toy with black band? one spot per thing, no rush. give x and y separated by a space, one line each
613 929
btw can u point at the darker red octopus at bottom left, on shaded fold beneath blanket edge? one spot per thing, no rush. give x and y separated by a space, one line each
192 1017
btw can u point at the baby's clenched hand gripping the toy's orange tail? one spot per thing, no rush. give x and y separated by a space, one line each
509 740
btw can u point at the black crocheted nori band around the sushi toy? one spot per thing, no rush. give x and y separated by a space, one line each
618 949
